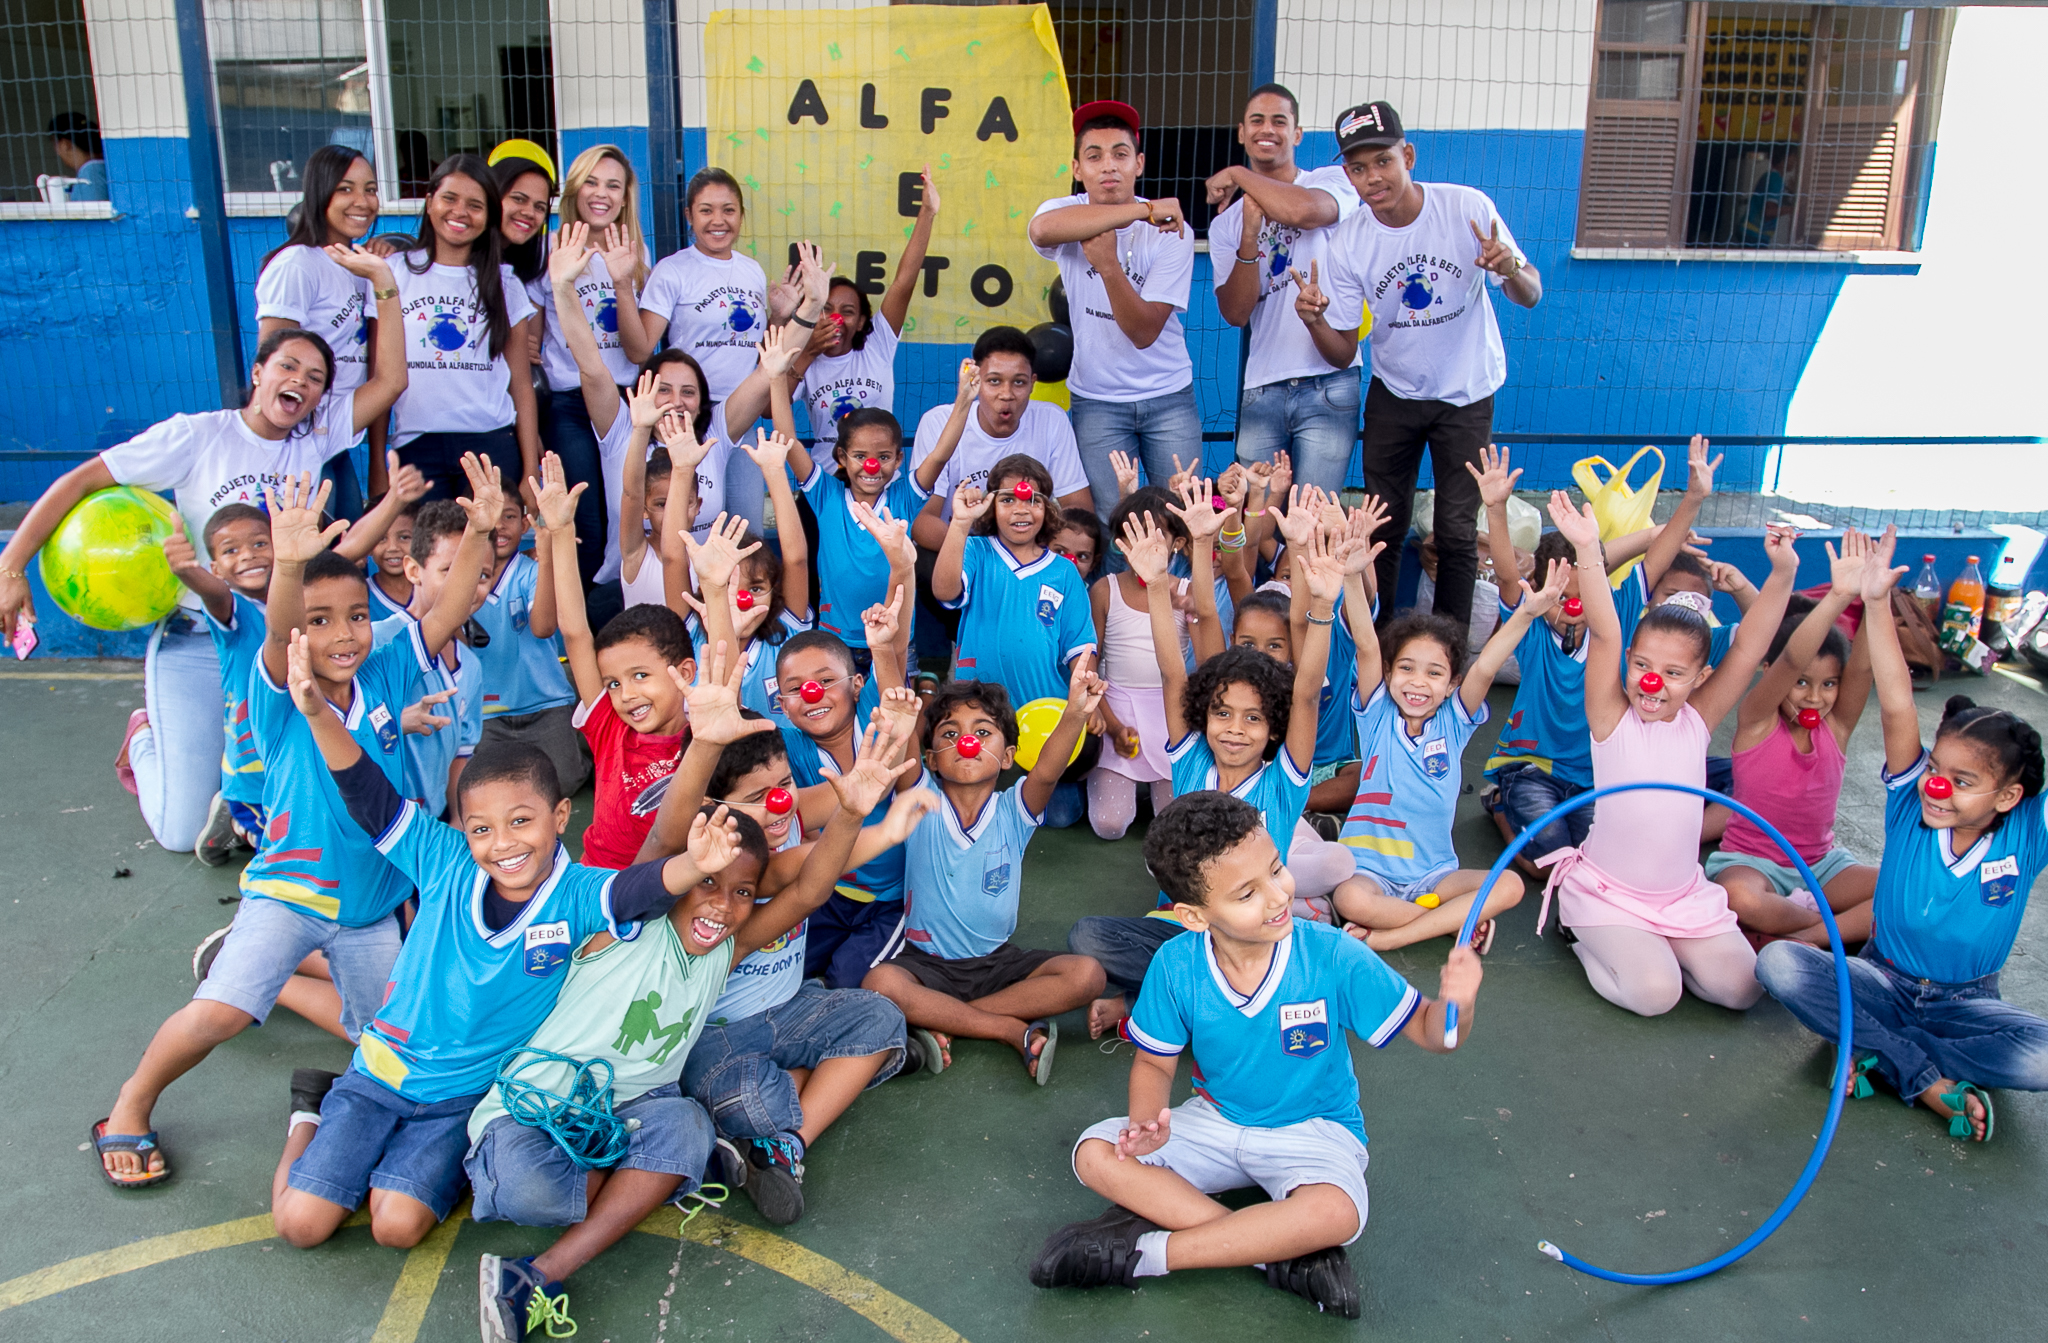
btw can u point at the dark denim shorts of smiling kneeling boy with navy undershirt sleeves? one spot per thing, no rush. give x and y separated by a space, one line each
376 1139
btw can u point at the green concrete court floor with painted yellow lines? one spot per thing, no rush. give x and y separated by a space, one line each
1641 1145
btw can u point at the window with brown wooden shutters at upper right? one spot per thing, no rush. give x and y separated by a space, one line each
1758 126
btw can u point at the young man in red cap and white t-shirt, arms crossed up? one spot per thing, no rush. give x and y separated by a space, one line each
1127 265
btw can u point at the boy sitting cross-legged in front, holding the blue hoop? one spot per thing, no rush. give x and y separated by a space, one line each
1263 1000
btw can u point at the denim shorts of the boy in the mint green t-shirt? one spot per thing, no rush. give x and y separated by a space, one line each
523 1176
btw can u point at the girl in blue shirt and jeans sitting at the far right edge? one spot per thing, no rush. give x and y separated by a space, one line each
1965 838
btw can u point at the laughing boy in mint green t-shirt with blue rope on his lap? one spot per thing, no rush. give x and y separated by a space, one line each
638 1008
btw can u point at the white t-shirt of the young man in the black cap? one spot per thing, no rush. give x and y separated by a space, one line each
1435 337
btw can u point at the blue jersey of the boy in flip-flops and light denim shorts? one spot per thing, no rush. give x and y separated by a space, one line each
314 857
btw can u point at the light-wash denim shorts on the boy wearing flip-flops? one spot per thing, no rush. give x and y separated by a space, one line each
269 941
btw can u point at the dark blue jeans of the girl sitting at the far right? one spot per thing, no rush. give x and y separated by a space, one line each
1920 1031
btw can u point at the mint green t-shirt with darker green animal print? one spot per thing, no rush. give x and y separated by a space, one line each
638 1006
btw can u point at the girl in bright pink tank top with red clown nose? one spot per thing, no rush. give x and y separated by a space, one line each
1789 765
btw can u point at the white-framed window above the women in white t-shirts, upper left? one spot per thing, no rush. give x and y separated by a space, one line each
409 83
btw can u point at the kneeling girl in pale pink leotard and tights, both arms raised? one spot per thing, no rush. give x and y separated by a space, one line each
1648 922
